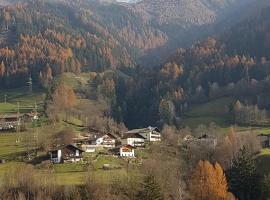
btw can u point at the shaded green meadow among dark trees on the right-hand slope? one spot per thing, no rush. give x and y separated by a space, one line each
206 113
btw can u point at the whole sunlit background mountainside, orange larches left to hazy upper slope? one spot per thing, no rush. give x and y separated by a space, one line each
45 38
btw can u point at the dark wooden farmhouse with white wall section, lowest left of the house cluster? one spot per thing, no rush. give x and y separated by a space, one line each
66 153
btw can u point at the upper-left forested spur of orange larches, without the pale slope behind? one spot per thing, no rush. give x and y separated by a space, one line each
45 38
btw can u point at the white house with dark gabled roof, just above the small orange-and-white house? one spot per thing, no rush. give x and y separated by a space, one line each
133 139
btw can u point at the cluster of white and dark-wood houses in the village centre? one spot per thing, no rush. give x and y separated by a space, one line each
122 146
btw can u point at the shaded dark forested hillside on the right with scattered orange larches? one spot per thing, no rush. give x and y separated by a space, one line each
234 65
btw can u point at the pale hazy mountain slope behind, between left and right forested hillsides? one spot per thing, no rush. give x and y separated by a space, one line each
186 21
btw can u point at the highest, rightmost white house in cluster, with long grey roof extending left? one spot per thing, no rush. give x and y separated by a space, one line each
151 134
